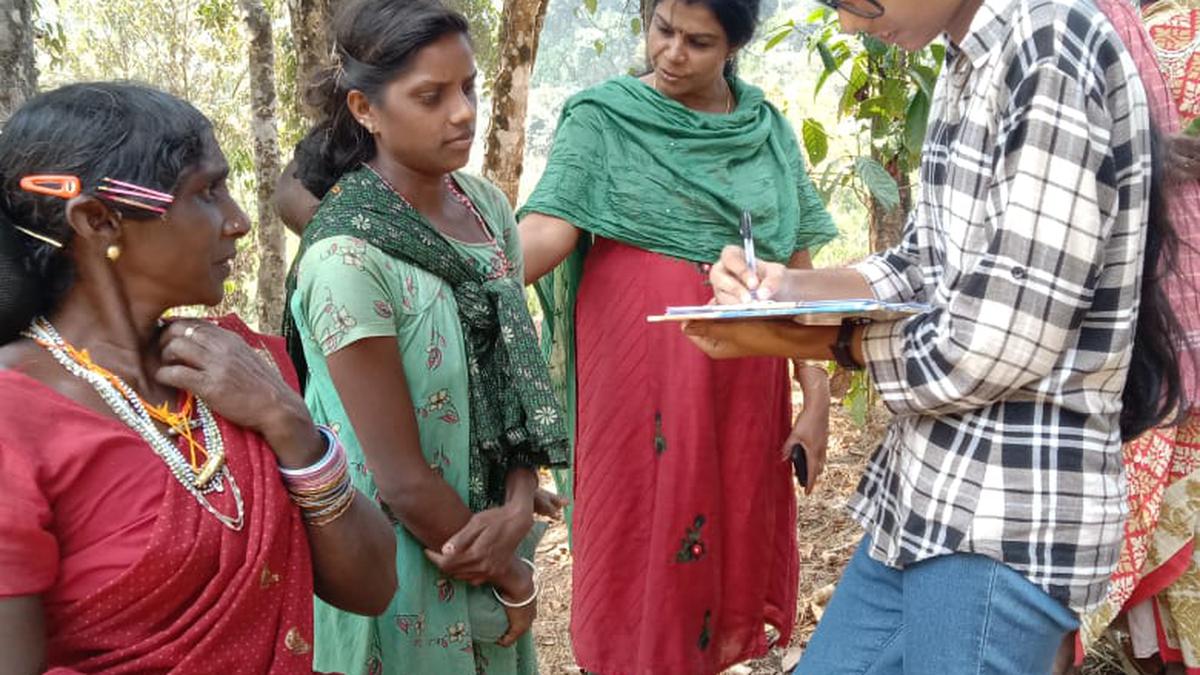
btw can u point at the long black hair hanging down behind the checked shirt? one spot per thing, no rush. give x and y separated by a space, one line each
1154 392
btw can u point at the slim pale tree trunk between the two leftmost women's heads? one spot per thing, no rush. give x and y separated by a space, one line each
269 237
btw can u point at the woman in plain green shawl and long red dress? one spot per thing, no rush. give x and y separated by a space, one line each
685 518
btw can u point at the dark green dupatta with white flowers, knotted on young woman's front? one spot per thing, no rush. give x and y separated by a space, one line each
515 420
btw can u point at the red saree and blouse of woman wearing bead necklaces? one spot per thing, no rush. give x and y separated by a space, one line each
136 577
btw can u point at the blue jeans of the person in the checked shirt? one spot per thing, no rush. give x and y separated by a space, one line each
950 616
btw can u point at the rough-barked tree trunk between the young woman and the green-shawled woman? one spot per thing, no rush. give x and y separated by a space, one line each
505 152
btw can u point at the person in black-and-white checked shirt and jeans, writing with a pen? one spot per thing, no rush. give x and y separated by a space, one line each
994 507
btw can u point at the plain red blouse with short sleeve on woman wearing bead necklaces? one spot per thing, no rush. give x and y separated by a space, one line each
79 494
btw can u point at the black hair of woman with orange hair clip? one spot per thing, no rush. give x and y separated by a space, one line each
92 132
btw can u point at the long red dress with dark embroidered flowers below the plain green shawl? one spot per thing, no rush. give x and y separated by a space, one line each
685 509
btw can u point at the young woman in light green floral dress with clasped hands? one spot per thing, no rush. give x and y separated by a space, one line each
409 324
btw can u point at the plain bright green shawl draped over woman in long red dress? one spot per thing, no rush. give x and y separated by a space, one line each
635 166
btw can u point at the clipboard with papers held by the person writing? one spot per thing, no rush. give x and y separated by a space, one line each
813 313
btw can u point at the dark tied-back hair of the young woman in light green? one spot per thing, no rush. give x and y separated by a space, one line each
377 41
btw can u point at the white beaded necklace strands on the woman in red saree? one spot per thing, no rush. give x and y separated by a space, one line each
128 407
